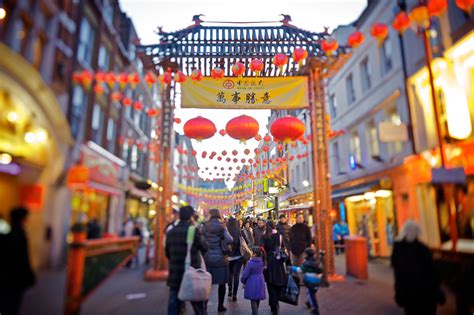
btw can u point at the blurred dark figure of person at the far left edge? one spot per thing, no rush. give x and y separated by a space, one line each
16 274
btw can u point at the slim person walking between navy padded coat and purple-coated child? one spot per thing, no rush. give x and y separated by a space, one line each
235 259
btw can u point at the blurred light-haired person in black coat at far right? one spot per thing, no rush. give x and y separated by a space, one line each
417 286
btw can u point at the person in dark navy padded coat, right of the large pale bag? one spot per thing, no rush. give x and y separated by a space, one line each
217 256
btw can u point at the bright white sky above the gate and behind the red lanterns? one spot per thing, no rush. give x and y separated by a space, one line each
173 15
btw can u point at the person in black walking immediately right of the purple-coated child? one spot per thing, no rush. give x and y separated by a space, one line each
275 273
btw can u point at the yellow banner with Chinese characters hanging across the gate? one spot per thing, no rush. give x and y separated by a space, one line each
252 93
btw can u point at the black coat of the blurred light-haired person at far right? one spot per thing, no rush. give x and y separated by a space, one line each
416 280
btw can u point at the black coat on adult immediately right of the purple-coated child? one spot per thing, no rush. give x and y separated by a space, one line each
275 273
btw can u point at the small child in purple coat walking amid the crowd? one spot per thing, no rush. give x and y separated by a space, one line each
253 280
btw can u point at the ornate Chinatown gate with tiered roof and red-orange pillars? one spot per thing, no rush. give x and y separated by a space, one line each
207 47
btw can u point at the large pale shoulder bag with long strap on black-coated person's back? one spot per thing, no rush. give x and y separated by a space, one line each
197 282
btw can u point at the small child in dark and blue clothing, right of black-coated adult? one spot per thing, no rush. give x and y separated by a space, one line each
312 270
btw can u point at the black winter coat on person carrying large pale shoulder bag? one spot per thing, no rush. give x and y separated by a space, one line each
176 250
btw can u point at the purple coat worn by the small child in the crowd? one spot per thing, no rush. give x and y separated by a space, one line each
253 279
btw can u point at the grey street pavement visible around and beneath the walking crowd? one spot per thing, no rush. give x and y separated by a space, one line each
126 293
